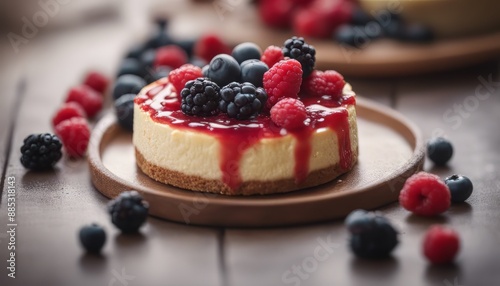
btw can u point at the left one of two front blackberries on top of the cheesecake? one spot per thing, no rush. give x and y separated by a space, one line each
200 97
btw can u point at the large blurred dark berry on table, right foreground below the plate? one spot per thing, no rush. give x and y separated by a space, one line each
372 235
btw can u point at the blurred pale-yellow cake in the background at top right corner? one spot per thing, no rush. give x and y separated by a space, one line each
447 18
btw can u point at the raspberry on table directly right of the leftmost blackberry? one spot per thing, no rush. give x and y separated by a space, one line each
75 135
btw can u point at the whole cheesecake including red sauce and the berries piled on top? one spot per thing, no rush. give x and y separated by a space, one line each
248 123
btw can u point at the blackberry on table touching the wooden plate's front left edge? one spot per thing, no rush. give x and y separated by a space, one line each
128 211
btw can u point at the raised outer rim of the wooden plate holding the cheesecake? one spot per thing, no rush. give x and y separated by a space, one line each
195 208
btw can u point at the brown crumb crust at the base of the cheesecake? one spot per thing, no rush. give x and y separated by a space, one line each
199 184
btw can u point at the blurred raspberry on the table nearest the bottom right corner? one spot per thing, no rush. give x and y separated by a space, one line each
441 244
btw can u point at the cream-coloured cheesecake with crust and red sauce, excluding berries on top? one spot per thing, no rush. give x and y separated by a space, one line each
222 155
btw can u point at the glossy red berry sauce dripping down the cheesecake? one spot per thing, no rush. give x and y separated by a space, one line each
236 136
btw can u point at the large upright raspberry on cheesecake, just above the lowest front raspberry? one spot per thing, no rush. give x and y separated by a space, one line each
282 80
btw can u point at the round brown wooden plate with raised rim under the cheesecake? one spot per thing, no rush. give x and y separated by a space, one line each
391 149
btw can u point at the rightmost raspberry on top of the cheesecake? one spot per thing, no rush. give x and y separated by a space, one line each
321 83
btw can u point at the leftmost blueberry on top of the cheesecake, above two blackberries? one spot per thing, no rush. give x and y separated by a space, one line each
224 69
